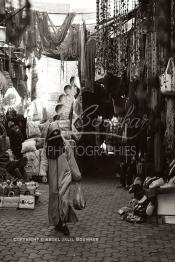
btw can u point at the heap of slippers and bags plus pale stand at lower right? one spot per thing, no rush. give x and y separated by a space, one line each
149 202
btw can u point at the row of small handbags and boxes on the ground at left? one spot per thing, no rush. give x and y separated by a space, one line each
18 194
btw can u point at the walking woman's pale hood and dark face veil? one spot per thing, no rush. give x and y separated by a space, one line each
55 142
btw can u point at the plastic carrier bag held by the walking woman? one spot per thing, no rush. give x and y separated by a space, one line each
79 201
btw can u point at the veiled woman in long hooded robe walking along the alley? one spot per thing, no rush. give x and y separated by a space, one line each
62 170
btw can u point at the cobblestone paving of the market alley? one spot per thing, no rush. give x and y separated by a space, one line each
117 240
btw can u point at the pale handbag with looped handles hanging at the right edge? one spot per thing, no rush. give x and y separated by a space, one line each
167 79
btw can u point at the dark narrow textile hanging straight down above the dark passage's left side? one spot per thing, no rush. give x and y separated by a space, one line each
90 53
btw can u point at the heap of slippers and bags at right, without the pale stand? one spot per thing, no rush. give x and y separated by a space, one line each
144 203
